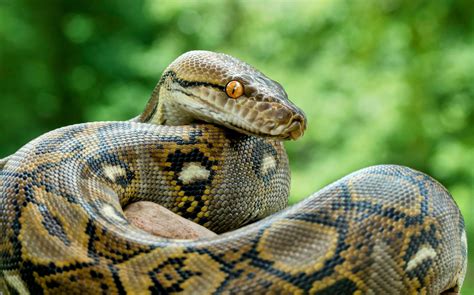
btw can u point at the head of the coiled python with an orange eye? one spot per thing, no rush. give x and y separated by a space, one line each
221 89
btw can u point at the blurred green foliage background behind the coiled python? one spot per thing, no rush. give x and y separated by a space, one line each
385 81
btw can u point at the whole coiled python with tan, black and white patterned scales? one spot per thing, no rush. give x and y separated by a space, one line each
209 147
